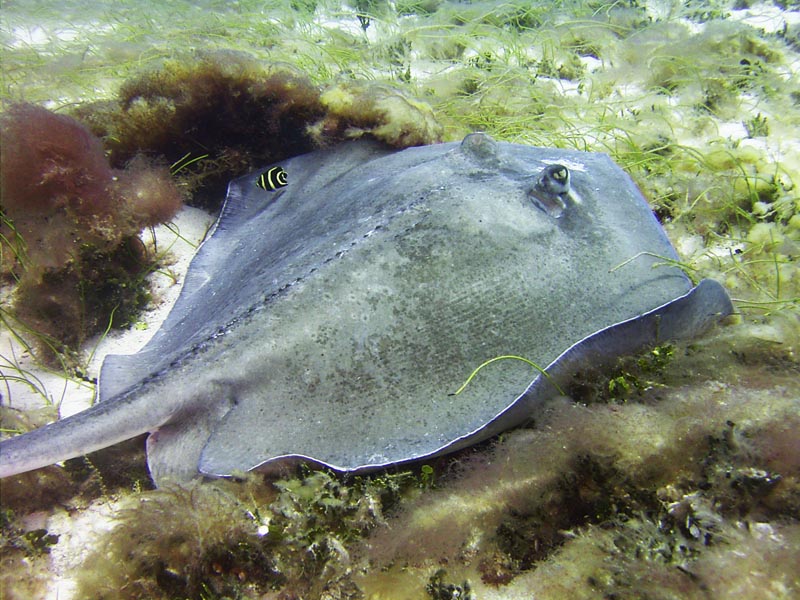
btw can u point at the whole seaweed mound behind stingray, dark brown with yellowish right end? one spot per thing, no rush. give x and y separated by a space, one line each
224 114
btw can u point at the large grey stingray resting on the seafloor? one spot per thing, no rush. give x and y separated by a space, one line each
345 295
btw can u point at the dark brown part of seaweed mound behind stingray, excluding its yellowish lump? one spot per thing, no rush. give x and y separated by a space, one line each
230 110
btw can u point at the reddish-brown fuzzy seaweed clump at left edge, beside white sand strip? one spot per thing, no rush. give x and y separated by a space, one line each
70 224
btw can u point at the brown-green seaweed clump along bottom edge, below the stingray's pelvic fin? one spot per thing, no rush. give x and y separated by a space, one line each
223 539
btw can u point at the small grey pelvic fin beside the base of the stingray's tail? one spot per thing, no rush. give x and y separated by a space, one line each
174 449
